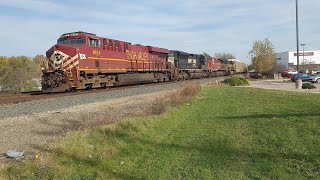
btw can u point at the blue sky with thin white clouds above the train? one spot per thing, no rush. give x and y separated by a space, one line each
31 27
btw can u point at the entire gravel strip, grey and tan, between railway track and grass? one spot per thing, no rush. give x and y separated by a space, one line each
30 126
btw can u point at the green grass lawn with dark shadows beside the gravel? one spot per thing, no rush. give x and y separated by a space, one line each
224 133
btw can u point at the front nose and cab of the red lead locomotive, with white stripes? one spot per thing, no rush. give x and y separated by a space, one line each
63 60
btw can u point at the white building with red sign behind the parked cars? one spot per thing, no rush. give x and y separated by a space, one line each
309 60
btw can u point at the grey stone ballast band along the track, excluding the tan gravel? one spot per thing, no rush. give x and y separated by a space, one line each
56 104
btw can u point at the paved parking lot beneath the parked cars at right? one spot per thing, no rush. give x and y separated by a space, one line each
282 84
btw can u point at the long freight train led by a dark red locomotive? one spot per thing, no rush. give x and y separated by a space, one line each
82 60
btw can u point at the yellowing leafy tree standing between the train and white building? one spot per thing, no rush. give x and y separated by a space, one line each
263 56
